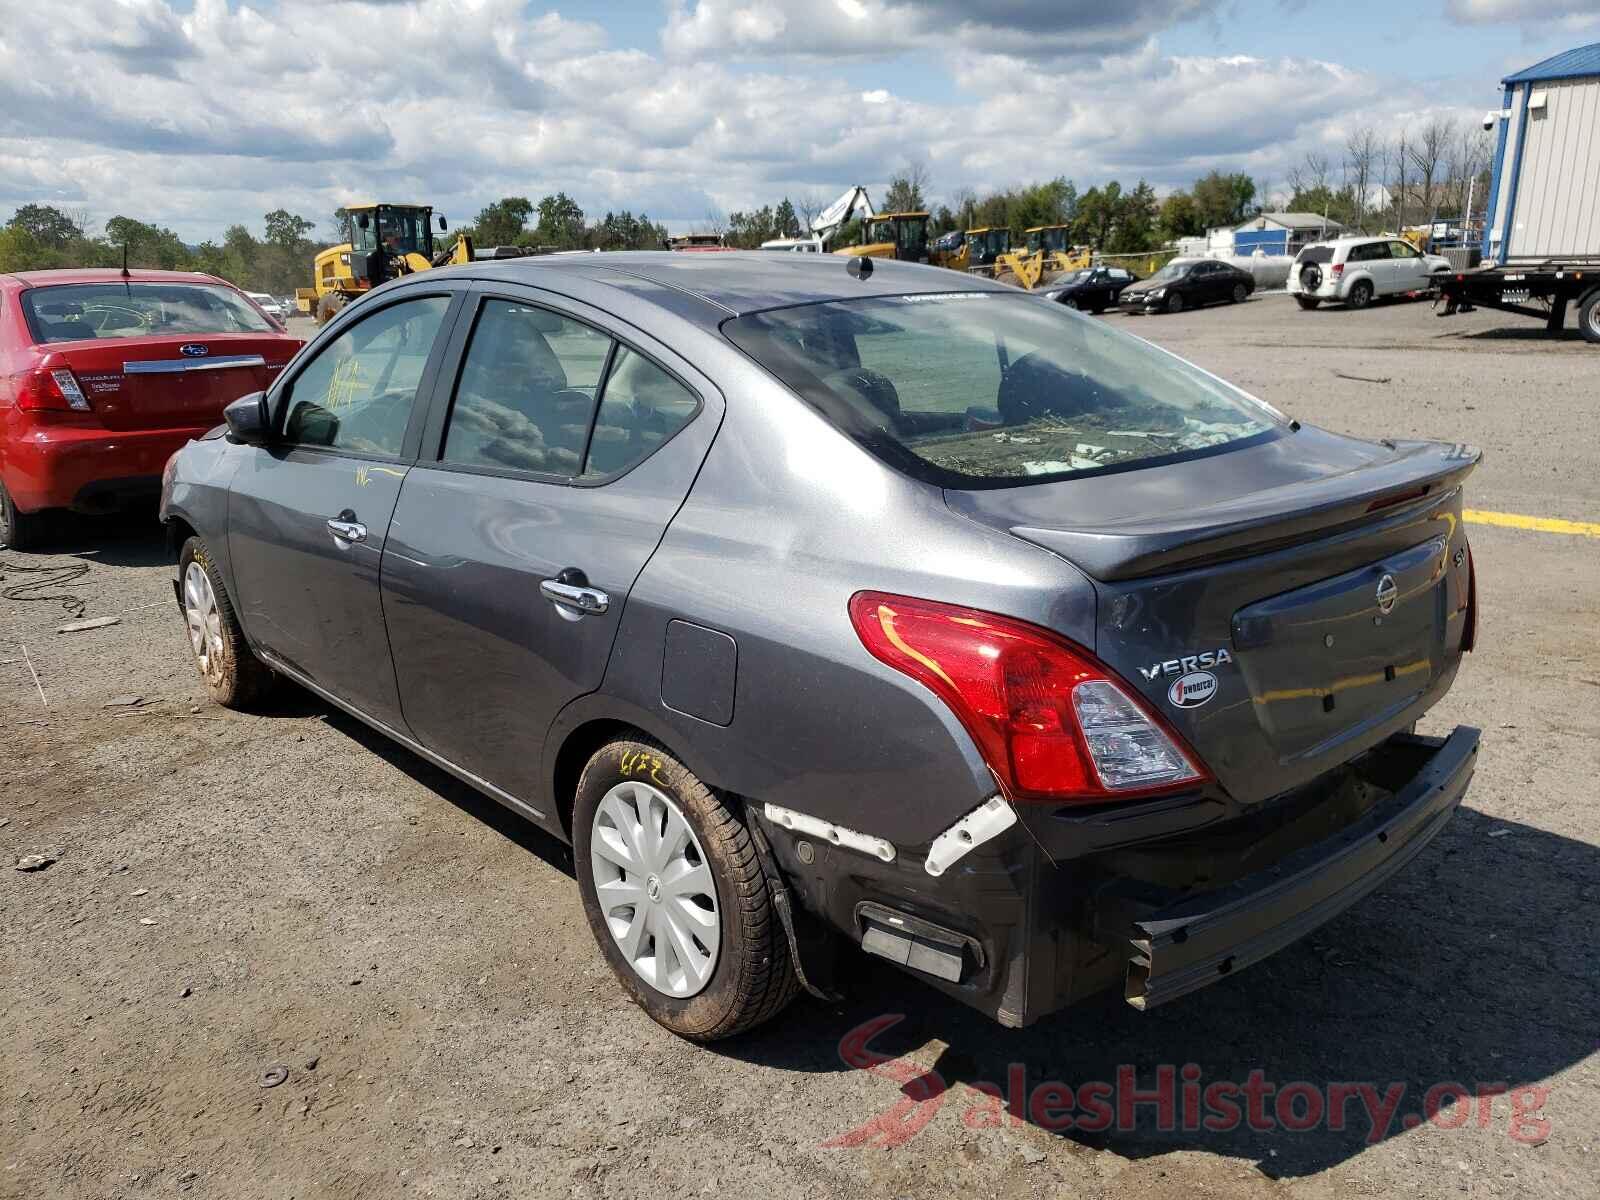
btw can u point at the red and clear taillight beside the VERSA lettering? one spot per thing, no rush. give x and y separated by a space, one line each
1052 721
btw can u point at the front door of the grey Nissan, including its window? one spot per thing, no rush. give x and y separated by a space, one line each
308 516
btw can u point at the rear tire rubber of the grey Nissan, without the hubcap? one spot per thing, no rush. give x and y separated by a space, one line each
754 978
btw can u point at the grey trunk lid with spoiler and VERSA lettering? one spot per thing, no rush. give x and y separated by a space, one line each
1284 606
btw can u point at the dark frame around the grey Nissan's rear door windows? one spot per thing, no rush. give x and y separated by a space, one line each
436 428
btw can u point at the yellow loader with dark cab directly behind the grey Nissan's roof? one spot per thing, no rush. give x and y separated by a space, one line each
383 242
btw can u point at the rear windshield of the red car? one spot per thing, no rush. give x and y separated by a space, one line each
78 311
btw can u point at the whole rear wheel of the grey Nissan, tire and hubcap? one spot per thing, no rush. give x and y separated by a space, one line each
676 895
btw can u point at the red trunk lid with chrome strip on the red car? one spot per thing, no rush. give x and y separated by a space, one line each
172 382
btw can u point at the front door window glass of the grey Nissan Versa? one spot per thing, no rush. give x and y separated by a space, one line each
358 394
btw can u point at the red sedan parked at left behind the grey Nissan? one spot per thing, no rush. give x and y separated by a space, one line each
103 375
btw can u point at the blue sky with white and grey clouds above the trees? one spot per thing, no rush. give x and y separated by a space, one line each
198 114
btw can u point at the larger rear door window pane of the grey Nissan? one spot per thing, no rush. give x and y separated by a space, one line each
527 391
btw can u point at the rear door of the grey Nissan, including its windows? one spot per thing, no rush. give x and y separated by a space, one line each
567 446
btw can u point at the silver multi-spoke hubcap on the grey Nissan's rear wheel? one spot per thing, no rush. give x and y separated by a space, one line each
655 889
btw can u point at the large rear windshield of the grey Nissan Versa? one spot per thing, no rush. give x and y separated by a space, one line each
990 390
